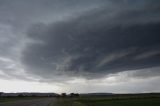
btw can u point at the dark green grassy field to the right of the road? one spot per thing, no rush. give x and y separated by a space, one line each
109 101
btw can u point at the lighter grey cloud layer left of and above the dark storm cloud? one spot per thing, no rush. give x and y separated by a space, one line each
17 15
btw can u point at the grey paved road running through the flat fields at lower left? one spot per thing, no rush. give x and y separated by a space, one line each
35 102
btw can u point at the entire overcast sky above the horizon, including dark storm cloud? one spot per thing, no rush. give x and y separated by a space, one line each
80 46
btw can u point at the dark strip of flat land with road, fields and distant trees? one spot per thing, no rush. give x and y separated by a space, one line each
91 99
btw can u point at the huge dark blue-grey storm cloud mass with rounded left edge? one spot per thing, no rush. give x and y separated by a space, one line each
106 40
